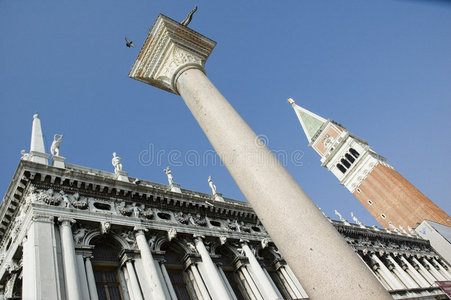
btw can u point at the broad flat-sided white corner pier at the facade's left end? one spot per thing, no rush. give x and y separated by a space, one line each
40 268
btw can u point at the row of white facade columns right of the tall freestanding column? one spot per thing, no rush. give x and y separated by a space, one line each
405 272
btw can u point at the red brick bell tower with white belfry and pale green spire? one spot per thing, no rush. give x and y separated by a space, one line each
386 194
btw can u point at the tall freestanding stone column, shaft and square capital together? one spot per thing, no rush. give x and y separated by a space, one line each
172 59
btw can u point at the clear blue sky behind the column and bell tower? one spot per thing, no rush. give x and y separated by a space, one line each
381 68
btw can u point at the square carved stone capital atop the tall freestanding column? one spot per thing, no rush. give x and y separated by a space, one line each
169 49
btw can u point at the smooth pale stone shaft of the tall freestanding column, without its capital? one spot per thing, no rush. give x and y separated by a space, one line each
266 184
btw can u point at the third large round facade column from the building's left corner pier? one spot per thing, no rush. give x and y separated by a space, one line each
209 272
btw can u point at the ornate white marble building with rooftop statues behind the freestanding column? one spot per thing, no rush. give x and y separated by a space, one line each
70 232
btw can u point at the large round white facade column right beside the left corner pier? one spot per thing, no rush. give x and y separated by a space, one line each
73 290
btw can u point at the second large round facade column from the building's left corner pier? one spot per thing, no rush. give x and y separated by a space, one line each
150 265
